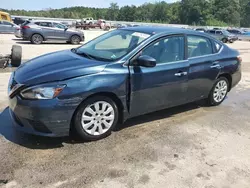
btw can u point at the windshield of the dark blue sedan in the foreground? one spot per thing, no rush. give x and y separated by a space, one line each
112 45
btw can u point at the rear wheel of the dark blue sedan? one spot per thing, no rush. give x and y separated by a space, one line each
219 92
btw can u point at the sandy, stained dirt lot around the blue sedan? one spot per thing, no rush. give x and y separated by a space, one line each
190 146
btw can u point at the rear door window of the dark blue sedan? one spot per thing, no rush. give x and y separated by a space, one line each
199 46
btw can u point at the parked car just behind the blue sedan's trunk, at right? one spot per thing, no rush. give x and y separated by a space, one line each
223 35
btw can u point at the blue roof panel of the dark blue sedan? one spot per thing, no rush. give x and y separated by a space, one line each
164 30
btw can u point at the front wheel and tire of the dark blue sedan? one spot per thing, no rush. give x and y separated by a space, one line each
96 118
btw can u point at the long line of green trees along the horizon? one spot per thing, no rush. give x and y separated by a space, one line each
192 12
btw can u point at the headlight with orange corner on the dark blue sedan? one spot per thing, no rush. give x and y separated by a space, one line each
42 92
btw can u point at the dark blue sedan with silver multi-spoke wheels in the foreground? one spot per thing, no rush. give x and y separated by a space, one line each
121 74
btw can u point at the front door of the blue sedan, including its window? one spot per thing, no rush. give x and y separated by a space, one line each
164 85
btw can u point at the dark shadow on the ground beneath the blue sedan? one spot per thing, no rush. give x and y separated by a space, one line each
39 142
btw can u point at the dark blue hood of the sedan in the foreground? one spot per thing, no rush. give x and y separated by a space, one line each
56 66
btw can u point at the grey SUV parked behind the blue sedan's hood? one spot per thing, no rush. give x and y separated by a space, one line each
38 31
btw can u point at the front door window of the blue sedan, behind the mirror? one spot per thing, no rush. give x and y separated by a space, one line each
166 50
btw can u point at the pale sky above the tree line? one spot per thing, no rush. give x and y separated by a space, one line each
43 4
